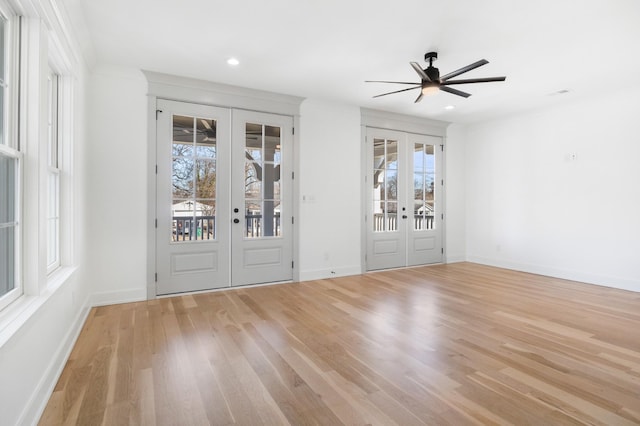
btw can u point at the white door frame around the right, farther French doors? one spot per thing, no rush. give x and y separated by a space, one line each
370 118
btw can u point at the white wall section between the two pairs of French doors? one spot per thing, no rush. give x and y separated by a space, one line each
330 192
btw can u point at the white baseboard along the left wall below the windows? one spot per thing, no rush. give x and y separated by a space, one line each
44 390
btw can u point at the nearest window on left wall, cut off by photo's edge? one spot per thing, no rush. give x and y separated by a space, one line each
10 163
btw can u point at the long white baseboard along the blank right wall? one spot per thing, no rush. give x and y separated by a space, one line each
567 274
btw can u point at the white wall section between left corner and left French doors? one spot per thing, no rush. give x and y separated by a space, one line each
117 182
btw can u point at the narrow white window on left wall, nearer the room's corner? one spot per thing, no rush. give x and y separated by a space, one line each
53 176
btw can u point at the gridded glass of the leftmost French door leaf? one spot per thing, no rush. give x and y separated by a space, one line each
194 179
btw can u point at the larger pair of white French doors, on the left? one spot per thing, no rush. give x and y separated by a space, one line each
223 204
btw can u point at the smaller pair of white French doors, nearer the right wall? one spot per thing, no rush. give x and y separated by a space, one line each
404 199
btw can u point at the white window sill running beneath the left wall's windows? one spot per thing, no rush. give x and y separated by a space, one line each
16 315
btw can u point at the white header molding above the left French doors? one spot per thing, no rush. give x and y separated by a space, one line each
184 89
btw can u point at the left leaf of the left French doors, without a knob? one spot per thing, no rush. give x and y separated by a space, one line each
192 197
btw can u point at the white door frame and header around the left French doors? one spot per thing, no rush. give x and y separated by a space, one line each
183 89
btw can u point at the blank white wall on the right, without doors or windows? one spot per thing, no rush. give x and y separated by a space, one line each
529 206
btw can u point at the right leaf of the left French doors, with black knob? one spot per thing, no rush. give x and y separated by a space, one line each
262 244
